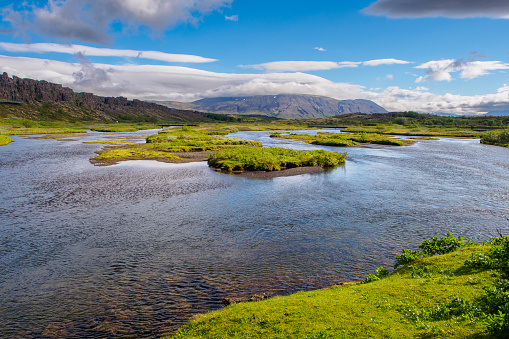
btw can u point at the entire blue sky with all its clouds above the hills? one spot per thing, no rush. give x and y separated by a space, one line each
431 56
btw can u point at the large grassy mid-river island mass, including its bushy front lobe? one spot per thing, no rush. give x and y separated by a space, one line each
230 154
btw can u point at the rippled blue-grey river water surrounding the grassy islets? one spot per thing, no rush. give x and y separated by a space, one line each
135 249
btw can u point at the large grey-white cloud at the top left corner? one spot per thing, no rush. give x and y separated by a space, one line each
90 20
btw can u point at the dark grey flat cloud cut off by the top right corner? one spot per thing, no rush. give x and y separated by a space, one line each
439 8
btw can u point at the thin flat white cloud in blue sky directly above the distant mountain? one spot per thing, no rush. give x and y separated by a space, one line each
302 66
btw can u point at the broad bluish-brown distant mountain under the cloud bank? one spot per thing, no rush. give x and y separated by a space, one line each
288 106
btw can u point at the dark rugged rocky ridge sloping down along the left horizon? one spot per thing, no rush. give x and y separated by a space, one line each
36 94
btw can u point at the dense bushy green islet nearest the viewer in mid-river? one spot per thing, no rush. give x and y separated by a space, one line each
271 159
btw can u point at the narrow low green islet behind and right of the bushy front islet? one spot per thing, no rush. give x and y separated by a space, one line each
345 139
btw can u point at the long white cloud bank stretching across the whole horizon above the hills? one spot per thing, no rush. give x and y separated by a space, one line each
155 82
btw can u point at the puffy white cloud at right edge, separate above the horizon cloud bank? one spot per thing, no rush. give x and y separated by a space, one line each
440 70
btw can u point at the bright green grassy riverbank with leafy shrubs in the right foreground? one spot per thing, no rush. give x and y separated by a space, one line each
453 295
